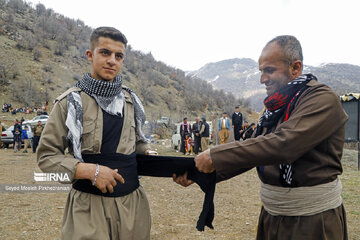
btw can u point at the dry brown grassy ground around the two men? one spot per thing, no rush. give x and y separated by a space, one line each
174 209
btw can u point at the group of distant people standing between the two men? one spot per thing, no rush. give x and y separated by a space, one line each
201 132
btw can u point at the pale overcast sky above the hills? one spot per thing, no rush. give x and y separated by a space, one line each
187 34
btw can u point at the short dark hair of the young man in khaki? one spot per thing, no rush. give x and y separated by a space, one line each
108 32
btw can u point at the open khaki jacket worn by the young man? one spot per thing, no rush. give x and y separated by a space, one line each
51 155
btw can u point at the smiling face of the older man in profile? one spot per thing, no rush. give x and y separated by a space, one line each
275 73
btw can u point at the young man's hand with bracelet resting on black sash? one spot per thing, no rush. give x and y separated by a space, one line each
106 180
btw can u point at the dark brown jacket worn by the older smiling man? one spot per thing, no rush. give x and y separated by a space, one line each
312 140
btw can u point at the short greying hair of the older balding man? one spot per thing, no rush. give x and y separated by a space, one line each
290 46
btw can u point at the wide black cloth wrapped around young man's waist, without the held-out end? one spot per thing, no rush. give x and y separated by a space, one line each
127 168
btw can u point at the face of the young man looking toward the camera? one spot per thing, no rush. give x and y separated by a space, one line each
106 59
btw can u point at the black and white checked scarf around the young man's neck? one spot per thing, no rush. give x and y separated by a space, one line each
110 97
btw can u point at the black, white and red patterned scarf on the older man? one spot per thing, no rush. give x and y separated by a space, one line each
279 106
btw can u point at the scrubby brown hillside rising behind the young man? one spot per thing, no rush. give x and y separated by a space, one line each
42 53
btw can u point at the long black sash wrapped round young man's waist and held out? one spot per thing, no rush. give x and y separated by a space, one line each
155 166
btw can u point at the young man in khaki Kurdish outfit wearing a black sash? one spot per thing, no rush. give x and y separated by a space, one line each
100 121
